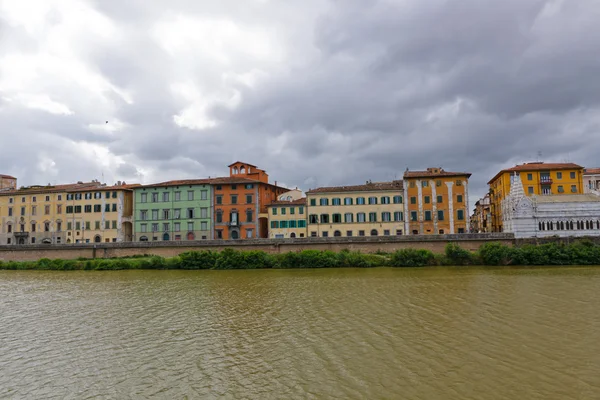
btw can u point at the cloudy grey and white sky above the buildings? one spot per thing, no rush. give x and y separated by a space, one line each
317 92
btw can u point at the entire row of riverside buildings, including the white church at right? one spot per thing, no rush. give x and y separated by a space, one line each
530 200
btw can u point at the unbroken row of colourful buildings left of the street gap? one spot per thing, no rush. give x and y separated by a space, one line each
239 206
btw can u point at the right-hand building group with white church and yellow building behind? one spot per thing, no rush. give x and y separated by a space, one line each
540 199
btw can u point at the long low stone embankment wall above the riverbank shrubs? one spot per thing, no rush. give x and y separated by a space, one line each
169 249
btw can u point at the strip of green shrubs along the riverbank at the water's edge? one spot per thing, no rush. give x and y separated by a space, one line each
494 254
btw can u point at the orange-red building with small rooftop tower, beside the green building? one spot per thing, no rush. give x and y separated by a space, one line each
240 202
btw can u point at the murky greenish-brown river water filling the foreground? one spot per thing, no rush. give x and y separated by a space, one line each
302 334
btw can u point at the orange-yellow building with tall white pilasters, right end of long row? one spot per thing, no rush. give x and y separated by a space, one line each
437 201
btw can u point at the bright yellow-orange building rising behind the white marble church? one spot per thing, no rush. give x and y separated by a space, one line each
538 178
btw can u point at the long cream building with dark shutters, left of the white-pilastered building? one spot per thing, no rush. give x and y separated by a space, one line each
372 209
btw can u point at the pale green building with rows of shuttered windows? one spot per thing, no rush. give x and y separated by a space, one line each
174 210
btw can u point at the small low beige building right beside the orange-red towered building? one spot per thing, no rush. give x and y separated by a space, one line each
287 218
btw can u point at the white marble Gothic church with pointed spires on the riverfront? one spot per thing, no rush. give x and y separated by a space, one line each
561 215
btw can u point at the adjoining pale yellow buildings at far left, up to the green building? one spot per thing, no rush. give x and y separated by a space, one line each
63 213
